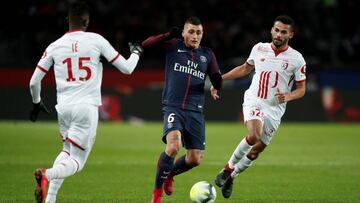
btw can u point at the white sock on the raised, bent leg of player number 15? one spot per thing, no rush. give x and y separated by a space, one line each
64 169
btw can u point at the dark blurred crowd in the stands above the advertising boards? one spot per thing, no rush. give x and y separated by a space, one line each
327 31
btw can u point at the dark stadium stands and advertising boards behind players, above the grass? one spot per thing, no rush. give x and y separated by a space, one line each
327 34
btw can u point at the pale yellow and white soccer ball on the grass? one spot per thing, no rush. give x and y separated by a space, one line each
203 192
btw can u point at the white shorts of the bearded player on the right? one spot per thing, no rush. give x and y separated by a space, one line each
255 111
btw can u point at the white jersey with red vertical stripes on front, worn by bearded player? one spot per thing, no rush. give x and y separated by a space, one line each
274 71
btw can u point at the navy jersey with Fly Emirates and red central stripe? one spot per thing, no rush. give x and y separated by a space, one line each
185 73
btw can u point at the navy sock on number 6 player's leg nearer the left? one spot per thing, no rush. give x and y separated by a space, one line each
165 164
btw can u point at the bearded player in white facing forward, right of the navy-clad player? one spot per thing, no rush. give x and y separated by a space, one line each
277 66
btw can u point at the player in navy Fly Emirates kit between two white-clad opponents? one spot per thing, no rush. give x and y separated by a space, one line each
186 66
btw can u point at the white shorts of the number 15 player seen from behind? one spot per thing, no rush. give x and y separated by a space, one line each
78 124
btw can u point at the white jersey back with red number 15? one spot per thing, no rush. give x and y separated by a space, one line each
77 66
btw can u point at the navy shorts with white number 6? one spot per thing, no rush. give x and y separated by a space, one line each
191 124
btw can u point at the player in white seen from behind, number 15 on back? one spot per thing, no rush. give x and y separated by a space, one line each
78 73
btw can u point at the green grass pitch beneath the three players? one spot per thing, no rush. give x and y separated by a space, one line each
304 163
